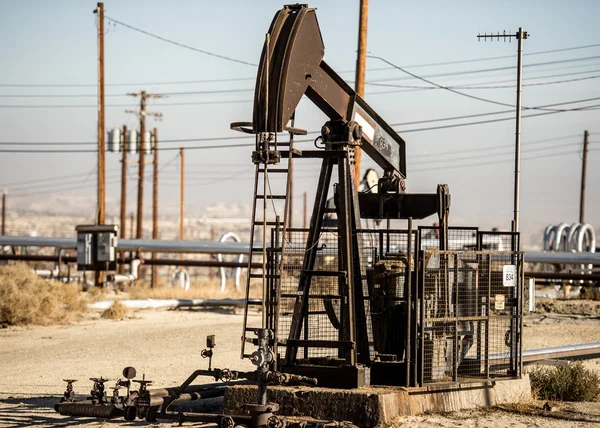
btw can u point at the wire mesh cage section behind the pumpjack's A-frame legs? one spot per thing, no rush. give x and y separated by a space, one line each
322 318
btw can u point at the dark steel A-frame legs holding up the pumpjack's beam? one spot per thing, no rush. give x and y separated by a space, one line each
339 137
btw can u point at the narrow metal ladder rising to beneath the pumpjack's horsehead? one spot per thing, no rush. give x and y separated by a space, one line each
266 215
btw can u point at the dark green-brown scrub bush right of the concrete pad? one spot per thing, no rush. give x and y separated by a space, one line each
566 382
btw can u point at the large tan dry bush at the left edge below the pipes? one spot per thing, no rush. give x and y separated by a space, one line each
27 299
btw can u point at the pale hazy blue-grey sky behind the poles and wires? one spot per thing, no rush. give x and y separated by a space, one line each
47 43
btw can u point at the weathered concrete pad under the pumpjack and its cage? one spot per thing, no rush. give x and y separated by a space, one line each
380 406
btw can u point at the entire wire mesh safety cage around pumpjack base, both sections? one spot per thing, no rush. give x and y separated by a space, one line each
465 321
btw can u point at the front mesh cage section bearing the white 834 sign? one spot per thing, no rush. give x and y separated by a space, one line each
470 315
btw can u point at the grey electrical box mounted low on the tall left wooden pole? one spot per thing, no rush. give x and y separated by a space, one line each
96 247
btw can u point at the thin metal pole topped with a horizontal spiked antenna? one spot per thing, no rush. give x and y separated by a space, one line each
520 36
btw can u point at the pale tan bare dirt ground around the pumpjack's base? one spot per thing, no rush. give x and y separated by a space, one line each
166 345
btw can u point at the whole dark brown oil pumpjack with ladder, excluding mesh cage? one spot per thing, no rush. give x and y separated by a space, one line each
292 66
